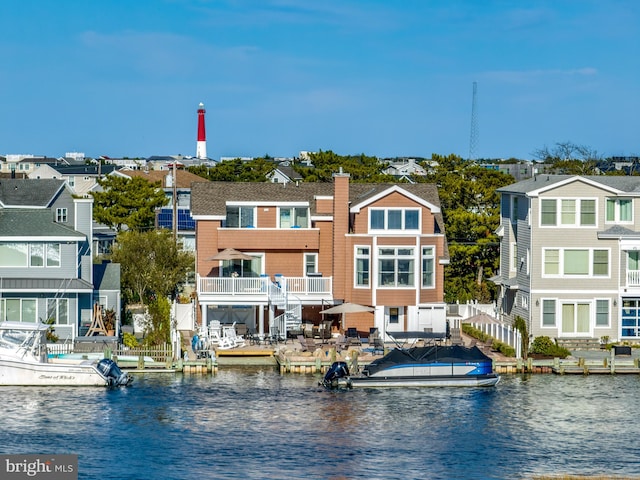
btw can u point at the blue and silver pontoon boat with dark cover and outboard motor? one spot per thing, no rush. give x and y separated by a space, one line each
431 365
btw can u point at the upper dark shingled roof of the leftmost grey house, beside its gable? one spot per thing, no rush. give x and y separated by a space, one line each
25 192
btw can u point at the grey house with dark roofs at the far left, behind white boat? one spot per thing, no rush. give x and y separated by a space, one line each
46 267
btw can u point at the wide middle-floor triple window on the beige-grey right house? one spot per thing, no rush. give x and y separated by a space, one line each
576 262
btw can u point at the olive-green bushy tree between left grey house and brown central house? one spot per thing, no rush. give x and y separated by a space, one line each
152 266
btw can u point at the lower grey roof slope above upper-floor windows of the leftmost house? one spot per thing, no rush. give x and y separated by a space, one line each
30 223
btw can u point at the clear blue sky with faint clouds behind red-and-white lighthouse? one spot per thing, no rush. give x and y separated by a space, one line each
379 77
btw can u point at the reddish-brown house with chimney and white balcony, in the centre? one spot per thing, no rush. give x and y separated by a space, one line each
299 249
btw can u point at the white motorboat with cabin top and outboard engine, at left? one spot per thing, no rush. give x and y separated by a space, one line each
24 361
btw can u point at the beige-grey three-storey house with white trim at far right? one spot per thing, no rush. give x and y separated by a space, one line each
570 256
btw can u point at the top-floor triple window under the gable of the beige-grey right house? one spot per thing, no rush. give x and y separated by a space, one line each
567 212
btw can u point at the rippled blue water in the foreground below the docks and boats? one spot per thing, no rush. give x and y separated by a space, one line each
255 423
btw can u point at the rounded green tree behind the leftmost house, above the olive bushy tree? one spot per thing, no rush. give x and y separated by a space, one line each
130 202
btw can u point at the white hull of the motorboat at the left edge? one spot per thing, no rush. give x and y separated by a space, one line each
16 373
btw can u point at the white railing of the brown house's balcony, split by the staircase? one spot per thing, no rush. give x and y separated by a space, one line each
257 288
